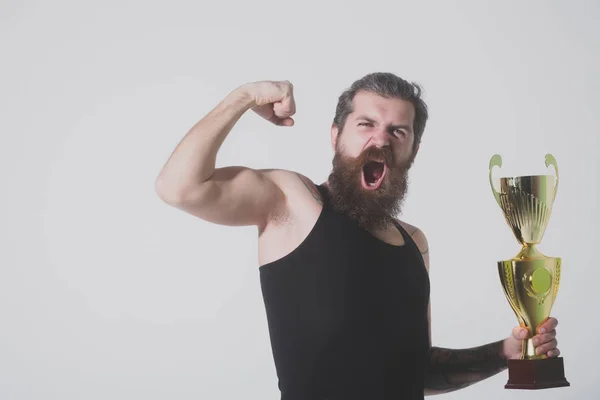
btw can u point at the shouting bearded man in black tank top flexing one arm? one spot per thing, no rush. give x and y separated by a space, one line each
345 282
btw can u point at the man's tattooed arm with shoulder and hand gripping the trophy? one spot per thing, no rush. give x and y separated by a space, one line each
453 369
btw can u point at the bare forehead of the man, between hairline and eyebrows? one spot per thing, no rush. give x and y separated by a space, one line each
389 109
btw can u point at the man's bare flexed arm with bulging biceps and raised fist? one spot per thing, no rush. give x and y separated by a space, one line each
233 195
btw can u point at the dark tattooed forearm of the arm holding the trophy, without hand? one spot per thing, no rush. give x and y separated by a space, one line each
450 369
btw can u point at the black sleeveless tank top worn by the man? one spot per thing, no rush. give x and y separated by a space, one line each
347 314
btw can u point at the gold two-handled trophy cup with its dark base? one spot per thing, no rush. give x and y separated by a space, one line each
531 279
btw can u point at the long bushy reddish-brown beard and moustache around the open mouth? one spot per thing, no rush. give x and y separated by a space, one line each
371 209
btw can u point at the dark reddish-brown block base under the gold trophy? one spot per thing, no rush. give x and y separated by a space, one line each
536 374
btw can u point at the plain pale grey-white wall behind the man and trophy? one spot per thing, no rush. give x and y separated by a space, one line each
107 292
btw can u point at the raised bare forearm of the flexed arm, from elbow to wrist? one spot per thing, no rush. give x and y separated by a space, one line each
193 160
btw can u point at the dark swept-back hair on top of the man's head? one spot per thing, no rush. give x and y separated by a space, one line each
387 85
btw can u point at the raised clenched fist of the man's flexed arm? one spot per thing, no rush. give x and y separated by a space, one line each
273 100
